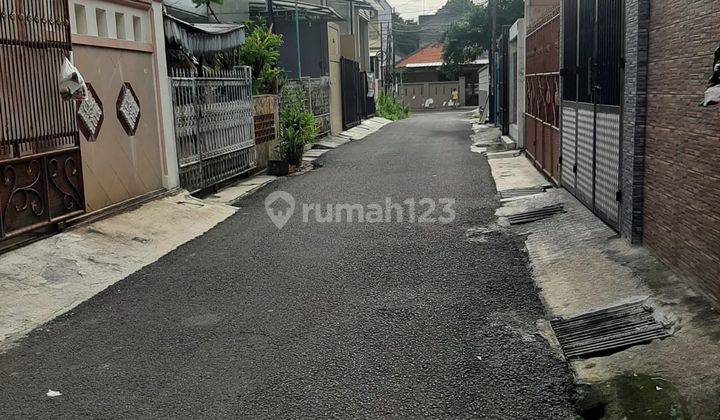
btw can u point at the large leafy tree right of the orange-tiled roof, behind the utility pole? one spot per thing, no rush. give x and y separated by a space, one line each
467 39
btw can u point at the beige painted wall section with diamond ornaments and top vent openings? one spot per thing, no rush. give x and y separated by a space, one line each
114 44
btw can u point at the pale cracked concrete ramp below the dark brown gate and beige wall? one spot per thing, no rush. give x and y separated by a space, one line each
50 277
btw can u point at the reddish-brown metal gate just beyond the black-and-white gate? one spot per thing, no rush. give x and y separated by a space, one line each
542 133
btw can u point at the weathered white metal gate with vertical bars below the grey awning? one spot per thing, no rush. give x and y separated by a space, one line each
214 128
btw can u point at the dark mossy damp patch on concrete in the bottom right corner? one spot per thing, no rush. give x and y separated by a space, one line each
633 396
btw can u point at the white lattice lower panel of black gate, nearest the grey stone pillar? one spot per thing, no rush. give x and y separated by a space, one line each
607 161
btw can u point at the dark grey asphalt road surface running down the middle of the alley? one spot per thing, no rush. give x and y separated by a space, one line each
348 320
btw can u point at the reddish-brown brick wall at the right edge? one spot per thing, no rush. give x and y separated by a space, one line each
681 211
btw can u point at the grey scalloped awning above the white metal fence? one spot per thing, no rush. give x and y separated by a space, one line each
203 38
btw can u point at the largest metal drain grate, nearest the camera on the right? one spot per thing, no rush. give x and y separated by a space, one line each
608 329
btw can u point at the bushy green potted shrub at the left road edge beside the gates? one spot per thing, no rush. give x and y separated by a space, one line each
297 124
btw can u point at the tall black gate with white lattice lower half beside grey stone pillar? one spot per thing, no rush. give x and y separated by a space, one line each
592 86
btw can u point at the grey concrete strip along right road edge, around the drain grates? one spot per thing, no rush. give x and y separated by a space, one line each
581 265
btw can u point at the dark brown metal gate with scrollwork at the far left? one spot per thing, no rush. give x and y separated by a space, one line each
40 167
